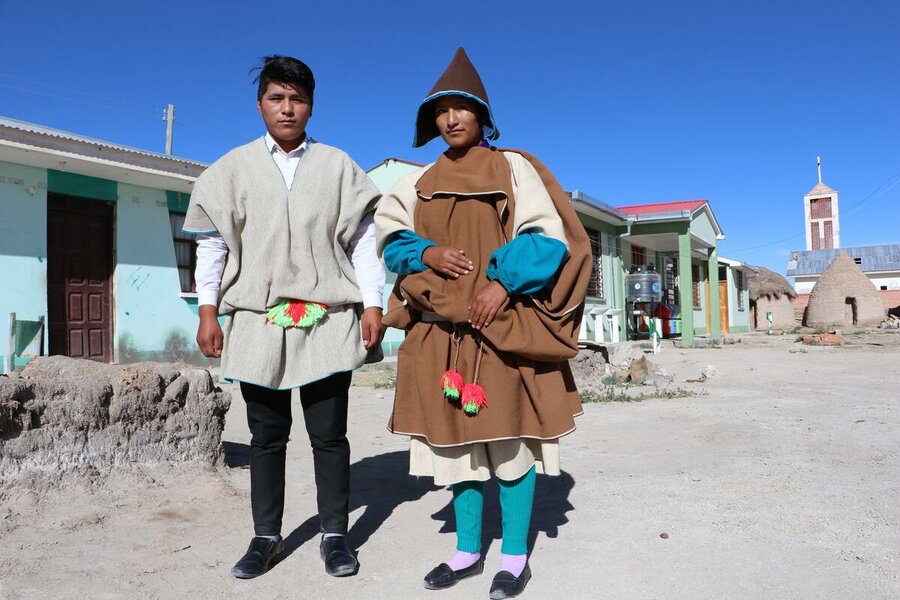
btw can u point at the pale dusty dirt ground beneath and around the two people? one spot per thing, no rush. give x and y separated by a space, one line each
781 481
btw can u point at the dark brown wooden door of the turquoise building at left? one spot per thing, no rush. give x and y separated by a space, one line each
79 277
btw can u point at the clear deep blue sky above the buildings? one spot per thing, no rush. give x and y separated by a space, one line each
629 102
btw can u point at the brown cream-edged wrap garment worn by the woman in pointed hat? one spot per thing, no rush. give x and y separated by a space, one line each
468 203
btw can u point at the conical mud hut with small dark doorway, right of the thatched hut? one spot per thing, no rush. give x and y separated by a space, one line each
844 297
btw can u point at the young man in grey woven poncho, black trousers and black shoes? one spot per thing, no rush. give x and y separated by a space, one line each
286 251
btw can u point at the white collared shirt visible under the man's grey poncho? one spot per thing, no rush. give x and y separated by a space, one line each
212 250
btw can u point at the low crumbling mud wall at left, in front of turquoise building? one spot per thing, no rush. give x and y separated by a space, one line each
61 413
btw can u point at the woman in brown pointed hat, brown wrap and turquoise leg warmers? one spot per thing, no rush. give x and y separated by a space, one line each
494 267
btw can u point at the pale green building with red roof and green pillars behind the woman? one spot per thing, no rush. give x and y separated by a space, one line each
706 294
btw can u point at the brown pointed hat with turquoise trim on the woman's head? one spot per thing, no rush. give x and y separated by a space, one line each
460 79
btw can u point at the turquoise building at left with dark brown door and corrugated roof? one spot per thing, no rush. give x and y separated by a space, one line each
91 251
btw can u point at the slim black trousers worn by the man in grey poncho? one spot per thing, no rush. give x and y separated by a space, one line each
325 414
